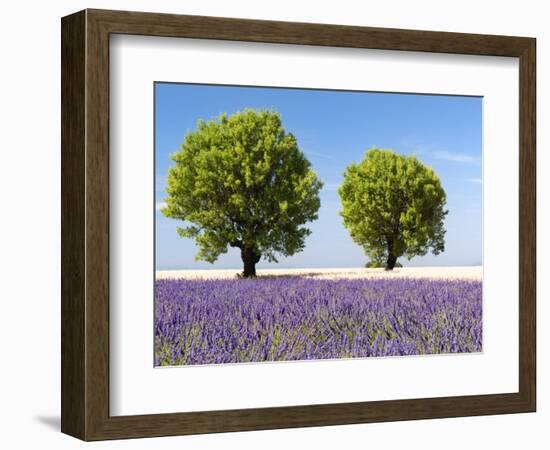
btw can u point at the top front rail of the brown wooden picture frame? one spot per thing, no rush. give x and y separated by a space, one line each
171 25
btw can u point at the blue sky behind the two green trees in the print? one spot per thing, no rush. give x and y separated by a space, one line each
334 128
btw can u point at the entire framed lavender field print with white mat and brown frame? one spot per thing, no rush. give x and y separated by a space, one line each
267 224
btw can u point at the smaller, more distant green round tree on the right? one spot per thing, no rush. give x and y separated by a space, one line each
393 206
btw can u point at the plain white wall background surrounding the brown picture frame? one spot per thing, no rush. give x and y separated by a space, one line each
30 225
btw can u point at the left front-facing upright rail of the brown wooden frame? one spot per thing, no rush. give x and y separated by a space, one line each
97 226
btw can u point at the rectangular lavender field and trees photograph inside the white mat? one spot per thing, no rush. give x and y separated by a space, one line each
296 224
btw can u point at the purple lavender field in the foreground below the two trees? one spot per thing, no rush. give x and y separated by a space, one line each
292 318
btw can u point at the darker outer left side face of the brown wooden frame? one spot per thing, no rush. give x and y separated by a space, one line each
73 276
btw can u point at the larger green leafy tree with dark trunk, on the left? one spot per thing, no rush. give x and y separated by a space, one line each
242 181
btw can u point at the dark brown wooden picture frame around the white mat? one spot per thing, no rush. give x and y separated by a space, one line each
85 224
